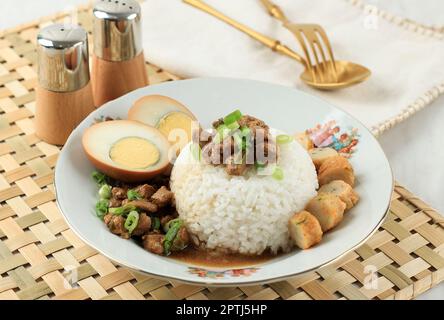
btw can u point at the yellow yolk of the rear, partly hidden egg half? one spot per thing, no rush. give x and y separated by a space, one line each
176 120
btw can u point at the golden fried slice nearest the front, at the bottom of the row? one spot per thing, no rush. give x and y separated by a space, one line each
305 230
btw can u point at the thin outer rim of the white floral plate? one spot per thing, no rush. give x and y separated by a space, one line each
244 282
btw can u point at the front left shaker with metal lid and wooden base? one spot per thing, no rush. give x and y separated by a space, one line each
64 92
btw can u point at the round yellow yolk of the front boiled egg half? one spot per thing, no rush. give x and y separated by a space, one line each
134 153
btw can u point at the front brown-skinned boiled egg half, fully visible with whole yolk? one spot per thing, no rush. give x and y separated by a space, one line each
126 150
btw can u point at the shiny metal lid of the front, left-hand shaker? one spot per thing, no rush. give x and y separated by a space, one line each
63 58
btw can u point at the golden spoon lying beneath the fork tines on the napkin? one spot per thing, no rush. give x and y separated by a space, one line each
347 73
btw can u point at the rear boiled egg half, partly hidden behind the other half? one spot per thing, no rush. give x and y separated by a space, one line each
169 116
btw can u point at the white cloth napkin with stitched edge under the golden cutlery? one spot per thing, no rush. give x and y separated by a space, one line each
407 65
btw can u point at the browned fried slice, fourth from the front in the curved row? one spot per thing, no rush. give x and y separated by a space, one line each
336 168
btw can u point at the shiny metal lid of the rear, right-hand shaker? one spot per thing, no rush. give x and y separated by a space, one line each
117 29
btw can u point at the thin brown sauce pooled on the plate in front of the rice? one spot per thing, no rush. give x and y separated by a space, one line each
211 258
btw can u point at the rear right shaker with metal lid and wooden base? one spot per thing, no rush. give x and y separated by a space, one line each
118 64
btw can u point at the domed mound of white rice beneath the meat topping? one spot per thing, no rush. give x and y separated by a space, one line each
246 214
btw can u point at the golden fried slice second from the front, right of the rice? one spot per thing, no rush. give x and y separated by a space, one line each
328 209
